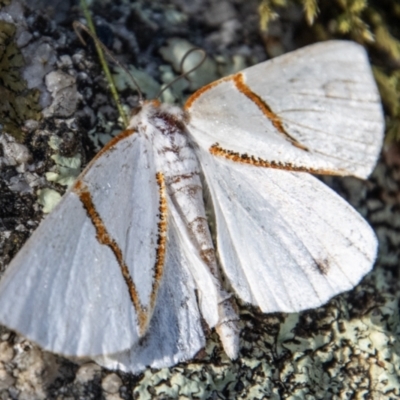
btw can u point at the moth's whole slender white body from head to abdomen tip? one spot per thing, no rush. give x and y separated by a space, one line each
177 161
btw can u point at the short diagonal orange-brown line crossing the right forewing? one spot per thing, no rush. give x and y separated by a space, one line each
238 80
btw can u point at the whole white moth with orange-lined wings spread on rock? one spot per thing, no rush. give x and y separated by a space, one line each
124 270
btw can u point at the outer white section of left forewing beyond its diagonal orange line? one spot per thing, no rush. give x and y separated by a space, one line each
66 303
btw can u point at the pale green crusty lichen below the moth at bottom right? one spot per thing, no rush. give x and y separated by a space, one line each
339 356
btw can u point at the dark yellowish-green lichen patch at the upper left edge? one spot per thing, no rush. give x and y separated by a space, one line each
18 103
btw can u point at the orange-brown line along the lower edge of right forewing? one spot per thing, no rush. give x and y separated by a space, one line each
216 150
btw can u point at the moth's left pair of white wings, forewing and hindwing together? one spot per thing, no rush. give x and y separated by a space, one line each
82 306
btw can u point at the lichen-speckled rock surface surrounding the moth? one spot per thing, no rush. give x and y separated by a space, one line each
347 349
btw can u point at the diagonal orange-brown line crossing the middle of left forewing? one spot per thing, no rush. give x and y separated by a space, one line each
104 238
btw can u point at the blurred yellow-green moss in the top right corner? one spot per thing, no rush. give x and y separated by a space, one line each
375 24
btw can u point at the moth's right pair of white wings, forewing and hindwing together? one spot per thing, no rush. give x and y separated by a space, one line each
286 241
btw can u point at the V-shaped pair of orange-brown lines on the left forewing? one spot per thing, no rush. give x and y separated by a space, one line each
104 238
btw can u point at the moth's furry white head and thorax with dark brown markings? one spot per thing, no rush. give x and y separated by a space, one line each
165 126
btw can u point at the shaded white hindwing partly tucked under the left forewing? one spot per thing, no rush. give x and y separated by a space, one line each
175 332
